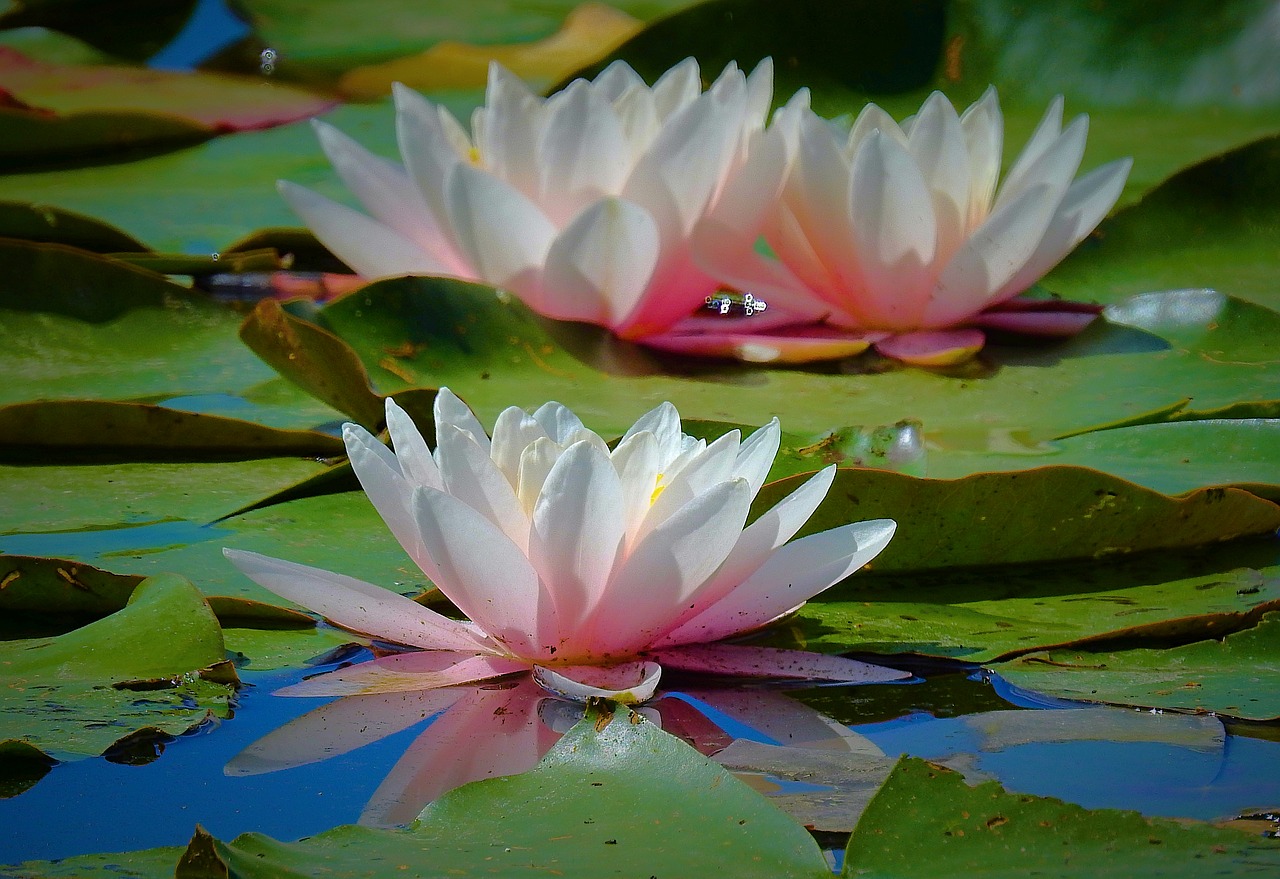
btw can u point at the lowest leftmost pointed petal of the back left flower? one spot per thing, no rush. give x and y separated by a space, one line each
369 248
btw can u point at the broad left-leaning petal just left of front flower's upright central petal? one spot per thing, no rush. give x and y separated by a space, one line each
486 575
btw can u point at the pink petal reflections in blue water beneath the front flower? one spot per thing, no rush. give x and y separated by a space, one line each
505 729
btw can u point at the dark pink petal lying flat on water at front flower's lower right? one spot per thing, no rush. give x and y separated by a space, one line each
742 661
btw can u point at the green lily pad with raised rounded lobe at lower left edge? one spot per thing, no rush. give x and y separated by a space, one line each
140 669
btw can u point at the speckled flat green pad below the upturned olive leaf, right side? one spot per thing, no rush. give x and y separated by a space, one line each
988 615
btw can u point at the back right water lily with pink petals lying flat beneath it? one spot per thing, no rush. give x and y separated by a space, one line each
900 239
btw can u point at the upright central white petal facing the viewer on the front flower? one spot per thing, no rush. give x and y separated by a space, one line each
578 527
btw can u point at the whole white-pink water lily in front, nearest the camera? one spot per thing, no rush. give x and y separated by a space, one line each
587 565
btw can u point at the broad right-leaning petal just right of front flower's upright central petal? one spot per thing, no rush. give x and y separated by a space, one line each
665 573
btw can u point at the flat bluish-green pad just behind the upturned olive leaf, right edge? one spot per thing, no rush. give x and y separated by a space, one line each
1171 459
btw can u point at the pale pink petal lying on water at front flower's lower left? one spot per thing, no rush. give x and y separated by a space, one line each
424 670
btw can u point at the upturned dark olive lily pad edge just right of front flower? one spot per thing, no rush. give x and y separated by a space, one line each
1035 516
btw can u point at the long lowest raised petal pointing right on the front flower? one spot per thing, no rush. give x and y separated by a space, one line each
790 578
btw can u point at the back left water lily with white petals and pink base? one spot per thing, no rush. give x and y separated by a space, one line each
583 204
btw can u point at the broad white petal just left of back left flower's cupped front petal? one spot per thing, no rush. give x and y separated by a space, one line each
502 234
